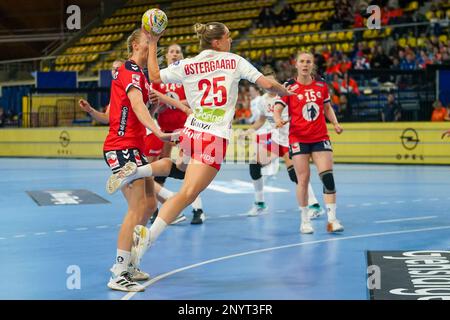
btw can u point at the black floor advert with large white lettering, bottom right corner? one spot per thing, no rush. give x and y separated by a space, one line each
409 275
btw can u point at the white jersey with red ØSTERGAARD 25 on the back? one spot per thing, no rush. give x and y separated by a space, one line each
210 82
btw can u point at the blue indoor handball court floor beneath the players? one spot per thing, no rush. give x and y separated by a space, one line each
230 256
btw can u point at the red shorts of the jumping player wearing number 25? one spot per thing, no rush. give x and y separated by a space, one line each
204 147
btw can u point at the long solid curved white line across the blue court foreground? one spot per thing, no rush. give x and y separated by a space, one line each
129 295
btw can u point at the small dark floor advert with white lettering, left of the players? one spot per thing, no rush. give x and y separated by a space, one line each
65 197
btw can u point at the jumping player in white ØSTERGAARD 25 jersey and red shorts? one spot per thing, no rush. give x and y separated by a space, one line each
211 83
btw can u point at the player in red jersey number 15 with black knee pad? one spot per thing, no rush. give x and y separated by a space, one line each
308 137
